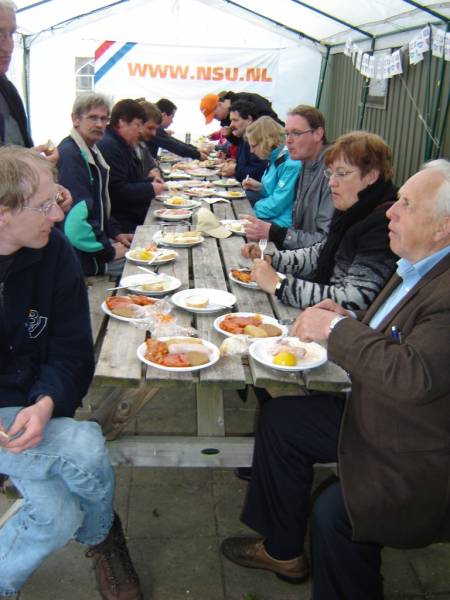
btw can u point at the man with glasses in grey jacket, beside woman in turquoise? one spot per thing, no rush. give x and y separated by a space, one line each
313 209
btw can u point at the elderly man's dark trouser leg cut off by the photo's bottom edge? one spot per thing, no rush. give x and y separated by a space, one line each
342 569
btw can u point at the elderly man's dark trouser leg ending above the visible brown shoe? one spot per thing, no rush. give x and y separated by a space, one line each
293 434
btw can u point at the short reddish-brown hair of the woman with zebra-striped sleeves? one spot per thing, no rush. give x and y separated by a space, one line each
364 150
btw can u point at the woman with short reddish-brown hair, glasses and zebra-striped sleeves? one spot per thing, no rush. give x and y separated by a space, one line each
353 263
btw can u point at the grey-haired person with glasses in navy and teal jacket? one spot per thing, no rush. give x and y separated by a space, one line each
83 170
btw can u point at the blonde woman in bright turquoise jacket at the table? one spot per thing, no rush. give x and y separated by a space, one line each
278 184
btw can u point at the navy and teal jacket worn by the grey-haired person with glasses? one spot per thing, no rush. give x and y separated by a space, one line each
87 225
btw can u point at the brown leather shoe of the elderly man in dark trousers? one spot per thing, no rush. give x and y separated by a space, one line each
250 552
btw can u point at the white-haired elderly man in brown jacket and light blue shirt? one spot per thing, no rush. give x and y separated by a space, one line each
391 437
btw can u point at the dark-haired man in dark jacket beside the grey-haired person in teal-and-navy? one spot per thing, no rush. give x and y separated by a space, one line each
130 189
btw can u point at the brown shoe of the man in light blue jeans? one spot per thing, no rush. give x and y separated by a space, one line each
116 577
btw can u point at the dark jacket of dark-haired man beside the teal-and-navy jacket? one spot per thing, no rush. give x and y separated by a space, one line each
129 190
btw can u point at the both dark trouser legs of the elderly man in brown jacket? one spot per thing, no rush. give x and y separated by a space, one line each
293 434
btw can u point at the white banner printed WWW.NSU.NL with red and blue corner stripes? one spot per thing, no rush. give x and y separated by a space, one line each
182 73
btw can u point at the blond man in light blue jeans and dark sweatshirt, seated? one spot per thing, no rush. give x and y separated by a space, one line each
59 465
